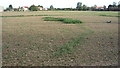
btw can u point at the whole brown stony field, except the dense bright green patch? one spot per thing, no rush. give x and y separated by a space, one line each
28 40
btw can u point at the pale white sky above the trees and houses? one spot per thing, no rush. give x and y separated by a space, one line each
55 3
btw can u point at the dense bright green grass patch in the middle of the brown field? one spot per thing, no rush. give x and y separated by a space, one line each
65 20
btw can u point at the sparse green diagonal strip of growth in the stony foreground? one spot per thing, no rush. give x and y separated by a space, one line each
70 46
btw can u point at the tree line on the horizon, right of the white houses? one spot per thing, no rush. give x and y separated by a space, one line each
83 7
